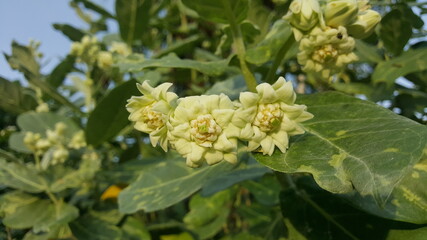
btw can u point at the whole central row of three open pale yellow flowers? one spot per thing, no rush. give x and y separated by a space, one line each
212 128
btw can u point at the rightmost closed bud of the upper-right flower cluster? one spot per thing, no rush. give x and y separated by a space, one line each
365 24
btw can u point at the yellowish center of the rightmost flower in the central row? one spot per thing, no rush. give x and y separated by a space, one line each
268 117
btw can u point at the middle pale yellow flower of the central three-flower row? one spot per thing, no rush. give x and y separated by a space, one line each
200 129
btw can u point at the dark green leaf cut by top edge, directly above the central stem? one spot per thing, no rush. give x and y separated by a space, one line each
219 11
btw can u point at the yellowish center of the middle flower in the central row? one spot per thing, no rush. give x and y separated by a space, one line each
205 130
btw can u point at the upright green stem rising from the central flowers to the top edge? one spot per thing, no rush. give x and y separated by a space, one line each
240 47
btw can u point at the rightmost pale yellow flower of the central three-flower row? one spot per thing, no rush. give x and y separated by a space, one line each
270 116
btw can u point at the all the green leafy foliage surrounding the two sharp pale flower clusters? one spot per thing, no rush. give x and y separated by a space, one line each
358 172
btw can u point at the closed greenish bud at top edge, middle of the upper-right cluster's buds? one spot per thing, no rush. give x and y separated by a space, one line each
340 12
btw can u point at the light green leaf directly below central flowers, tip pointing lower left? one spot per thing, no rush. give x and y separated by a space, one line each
166 184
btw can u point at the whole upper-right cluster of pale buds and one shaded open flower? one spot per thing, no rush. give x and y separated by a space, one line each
326 32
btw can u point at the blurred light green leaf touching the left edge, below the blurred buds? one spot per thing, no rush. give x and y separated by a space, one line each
21 176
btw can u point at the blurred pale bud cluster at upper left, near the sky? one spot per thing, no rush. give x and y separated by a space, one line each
88 50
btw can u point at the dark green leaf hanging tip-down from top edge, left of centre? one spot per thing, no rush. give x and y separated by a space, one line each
133 17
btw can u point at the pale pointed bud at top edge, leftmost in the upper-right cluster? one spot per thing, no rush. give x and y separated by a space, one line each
303 14
